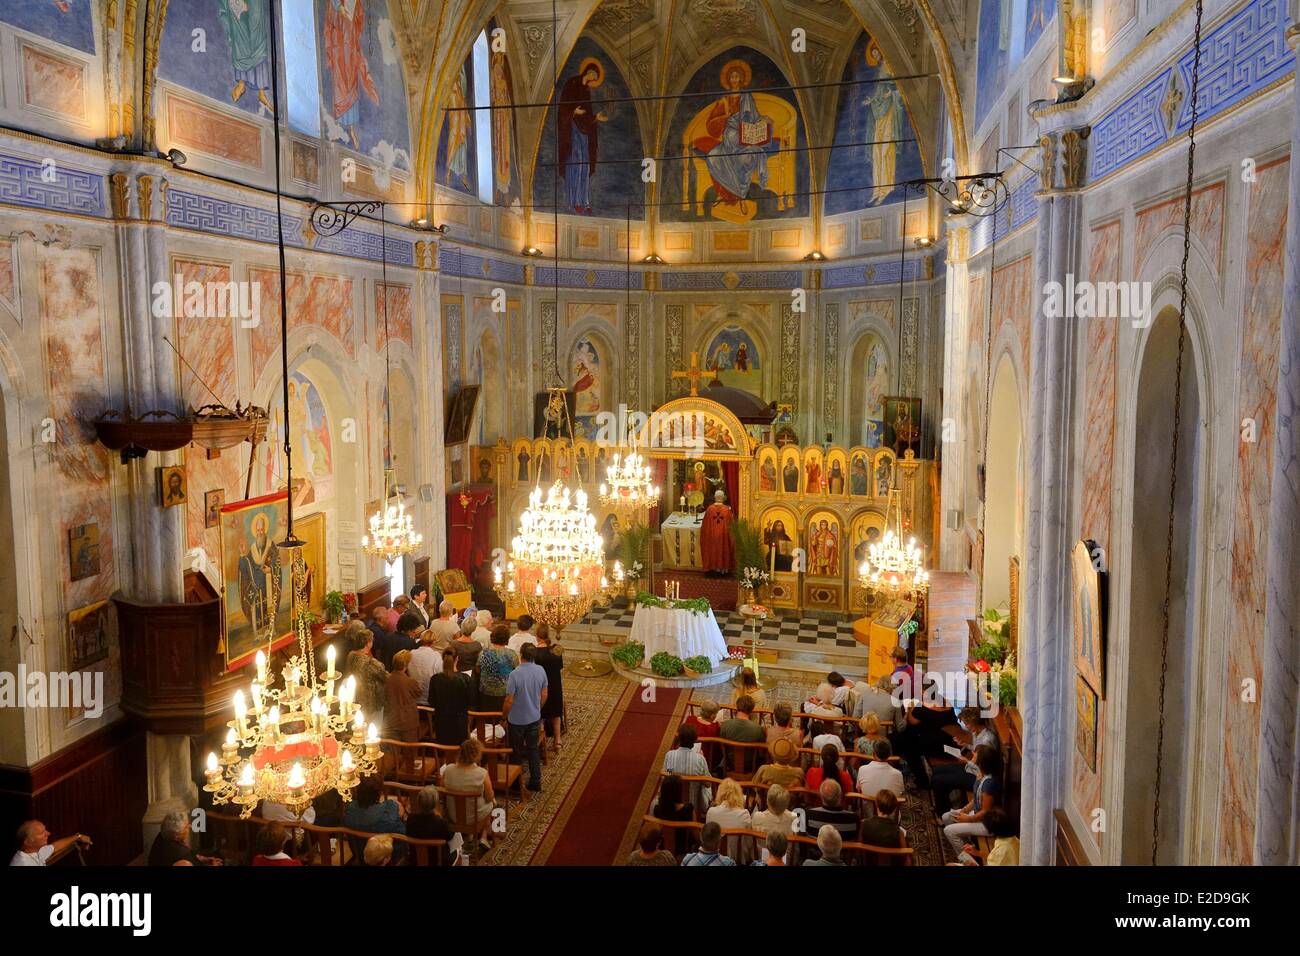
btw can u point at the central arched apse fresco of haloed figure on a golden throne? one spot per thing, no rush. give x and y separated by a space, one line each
743 145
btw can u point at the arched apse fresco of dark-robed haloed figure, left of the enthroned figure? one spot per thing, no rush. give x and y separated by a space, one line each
591 154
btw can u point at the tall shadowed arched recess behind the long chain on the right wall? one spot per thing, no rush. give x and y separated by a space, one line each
1154 429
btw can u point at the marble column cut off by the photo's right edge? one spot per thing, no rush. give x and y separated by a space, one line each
1277 830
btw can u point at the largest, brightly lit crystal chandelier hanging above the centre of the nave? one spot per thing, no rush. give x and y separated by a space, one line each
557 560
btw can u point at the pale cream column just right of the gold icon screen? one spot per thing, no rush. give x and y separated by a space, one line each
952 542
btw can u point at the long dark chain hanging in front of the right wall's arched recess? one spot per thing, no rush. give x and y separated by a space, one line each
1178 421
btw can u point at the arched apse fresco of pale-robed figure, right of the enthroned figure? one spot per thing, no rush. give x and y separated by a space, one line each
870 123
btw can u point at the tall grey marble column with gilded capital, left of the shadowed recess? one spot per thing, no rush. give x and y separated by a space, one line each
1046 646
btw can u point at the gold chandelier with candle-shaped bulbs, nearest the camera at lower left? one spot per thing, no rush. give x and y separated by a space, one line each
291 745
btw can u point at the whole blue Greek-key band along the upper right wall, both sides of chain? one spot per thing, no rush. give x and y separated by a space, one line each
1242 55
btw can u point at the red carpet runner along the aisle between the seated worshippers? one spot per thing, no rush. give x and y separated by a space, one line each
614 784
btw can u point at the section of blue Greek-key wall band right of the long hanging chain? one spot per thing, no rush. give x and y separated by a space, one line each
1243 55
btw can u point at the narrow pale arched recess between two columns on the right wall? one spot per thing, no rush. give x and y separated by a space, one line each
1004 487
